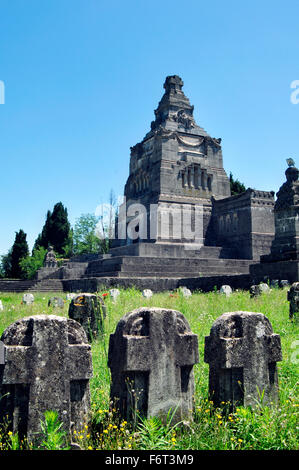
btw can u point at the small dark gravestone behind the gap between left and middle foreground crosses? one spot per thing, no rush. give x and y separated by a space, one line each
89 310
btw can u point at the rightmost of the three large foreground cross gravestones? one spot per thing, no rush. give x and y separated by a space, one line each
242 352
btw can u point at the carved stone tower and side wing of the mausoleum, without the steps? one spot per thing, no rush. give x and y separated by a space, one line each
178 169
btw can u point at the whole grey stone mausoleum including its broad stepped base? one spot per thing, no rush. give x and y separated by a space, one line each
179 224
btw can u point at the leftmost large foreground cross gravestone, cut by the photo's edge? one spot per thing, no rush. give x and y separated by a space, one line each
47 367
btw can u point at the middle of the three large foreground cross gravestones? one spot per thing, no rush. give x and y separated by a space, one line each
153 352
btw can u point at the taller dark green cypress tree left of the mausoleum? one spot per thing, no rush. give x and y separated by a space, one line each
56 231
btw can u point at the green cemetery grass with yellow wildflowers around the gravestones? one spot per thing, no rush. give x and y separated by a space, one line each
264 428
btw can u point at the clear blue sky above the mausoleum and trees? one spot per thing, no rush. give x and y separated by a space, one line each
83 77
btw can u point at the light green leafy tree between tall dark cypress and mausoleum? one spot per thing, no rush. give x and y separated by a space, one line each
85 239
